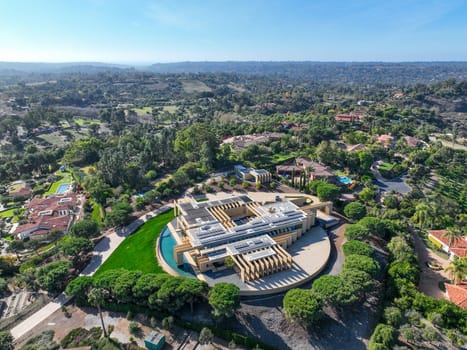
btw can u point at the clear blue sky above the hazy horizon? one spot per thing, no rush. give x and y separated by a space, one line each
143 31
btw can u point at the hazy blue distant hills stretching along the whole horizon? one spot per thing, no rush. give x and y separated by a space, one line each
320 72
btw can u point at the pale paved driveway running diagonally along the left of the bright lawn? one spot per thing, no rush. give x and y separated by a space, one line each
101 253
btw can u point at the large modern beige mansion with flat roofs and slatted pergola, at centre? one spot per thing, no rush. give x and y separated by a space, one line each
252 236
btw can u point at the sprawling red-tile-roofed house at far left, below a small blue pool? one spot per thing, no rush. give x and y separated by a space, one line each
48 214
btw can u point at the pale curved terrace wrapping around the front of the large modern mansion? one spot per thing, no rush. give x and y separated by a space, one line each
310 255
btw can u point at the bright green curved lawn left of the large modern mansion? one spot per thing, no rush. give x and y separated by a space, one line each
137 252
